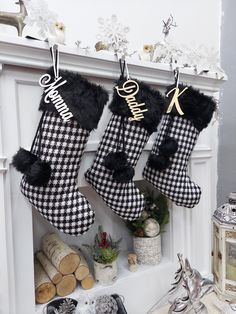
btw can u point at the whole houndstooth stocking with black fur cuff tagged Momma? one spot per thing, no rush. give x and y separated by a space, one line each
51 167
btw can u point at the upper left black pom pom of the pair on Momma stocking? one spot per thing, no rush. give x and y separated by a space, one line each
23 159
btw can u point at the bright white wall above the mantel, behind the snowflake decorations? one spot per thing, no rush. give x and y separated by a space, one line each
198 20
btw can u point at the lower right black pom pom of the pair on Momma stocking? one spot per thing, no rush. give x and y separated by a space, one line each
38 174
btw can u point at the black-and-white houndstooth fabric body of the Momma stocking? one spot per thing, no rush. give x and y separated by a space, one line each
60 202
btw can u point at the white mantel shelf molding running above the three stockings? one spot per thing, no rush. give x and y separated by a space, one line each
35 54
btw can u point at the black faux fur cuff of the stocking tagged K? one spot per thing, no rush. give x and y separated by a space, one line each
197 107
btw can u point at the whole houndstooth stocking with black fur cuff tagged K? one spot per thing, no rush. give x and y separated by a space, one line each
167 165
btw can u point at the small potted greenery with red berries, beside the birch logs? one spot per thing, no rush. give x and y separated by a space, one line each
105 252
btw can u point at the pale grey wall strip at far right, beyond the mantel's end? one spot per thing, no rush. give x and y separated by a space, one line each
227 130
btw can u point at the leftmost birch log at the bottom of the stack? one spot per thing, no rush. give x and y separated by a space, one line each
44 288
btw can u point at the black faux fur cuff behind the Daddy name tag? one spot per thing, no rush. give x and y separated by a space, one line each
153 100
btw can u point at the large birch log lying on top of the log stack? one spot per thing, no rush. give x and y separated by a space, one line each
60 254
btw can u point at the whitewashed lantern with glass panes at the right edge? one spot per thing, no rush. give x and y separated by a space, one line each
224 249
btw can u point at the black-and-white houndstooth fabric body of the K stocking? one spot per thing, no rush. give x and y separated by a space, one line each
174 181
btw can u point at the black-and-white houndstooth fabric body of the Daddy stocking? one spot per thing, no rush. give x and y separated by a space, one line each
123 198
